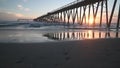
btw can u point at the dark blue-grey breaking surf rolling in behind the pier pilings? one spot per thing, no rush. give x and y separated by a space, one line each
37 25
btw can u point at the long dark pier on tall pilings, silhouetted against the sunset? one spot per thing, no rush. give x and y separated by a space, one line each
85 12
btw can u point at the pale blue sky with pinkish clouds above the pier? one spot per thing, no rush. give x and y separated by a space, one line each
14 9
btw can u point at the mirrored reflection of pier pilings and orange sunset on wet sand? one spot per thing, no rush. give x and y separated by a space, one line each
81 35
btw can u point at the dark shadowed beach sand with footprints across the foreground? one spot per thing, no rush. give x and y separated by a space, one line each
104 53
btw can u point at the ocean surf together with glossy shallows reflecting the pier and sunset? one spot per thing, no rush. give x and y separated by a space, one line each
36 32
